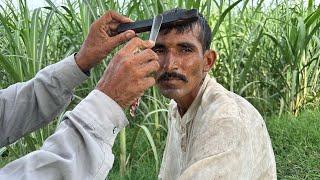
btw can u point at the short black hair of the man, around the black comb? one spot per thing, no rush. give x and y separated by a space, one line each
205 35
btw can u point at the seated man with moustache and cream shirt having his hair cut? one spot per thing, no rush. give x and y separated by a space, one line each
212 132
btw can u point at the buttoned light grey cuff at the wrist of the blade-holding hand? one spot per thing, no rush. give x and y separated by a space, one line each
100 115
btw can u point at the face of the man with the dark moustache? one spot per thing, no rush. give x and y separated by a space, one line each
181 62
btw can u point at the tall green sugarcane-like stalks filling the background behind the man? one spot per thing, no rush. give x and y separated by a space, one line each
270 54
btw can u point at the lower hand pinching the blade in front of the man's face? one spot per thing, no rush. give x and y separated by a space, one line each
128 73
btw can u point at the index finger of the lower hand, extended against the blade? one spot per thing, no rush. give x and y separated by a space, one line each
136 43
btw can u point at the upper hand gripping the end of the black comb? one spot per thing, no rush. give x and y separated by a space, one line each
100 41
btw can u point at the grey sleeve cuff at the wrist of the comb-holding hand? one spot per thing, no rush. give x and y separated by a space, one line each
69 72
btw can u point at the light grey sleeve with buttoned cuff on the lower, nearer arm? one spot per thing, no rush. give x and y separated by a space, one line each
81 148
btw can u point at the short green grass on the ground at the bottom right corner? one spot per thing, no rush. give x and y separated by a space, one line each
296 145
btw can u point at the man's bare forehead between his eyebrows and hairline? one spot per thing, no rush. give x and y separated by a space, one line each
174 37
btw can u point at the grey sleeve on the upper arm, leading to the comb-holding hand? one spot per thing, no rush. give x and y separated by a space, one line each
26 106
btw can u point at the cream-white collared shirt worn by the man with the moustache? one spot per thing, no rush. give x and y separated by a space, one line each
221 136
